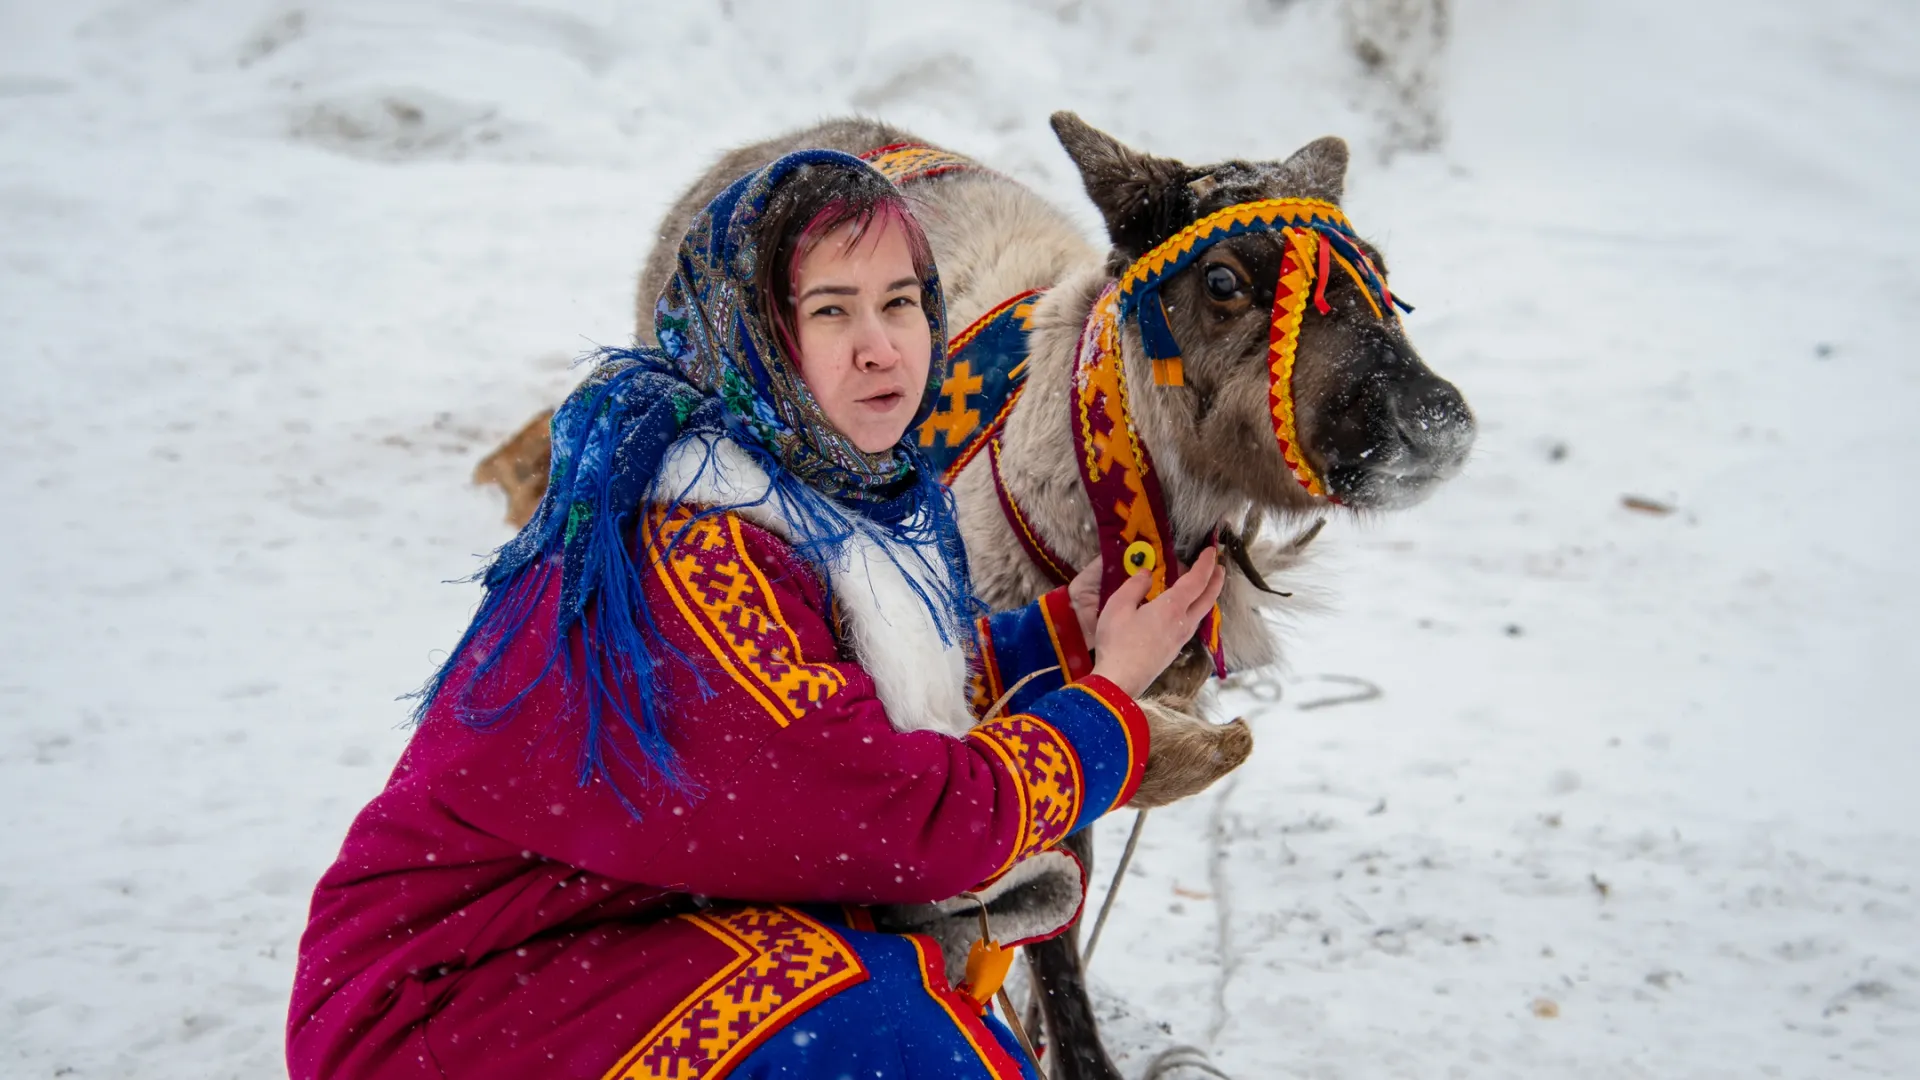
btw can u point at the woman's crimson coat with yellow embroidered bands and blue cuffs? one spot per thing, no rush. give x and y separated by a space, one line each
492 916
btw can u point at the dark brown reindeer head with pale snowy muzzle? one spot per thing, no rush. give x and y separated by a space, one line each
1372 422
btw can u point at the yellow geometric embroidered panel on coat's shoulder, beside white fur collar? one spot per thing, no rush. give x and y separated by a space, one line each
729 604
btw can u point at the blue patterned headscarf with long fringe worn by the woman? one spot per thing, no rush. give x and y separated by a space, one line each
715 376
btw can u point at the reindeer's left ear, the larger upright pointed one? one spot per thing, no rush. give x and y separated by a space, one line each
1143 199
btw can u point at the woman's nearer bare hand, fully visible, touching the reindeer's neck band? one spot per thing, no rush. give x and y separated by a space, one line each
1134 643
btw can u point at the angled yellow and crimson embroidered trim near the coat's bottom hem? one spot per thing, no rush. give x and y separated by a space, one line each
784 964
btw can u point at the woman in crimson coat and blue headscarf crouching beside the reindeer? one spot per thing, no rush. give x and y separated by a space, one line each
717 702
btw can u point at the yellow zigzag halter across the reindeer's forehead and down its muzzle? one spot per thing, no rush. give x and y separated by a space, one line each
1316 237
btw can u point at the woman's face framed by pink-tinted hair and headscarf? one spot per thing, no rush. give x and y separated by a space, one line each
863 335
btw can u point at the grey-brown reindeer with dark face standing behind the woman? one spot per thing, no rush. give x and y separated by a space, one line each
1372 426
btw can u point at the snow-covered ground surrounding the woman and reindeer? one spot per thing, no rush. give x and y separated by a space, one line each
1637 797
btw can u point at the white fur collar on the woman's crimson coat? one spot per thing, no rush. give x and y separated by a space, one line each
921 679
